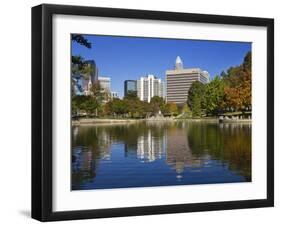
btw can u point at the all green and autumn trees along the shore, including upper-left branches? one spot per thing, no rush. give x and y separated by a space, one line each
226 93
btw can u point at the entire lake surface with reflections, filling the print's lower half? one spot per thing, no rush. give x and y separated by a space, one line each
155 154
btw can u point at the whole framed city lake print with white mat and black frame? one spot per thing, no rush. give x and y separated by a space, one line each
145 112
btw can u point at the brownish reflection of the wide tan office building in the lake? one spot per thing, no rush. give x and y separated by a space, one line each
178 153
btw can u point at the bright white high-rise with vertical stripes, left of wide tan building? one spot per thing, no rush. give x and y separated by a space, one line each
150 86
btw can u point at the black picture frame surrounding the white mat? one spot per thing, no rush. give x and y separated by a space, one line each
42 196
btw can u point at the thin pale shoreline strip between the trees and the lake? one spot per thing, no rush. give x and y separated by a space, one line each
97 121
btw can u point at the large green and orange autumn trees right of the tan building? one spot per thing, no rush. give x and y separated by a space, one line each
228 92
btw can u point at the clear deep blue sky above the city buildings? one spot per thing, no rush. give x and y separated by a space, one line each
122 58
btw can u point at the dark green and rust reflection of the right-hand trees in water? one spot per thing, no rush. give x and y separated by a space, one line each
228 143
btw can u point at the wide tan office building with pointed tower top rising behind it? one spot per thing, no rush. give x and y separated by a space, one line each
180 80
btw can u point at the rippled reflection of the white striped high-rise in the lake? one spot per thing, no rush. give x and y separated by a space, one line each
150 148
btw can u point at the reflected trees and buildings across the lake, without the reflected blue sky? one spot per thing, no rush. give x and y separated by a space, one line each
184 144
